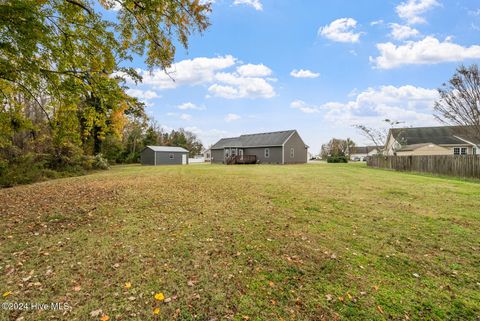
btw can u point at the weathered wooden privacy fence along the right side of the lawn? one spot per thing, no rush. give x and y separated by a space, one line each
467 166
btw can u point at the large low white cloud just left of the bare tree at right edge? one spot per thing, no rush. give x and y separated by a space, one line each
410 104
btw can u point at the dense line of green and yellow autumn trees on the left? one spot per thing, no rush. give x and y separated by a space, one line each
63 69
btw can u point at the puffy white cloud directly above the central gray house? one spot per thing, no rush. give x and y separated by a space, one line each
234 86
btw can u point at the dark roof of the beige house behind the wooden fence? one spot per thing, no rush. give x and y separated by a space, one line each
444 135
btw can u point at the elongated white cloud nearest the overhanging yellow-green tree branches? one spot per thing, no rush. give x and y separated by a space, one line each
187 72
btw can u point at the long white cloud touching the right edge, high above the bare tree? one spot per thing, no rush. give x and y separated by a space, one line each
427 51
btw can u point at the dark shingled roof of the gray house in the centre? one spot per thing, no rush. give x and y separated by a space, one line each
255 140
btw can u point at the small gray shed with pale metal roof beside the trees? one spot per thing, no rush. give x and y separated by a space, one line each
164 155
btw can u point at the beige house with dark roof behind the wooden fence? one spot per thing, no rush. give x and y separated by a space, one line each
444 140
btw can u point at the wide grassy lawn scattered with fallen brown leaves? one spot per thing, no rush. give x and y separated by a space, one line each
306 242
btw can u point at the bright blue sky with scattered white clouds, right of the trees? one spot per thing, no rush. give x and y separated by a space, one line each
320 67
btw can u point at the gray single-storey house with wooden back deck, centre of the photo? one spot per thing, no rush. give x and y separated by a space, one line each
282 147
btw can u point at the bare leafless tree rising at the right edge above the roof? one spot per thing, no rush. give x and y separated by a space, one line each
459 102
